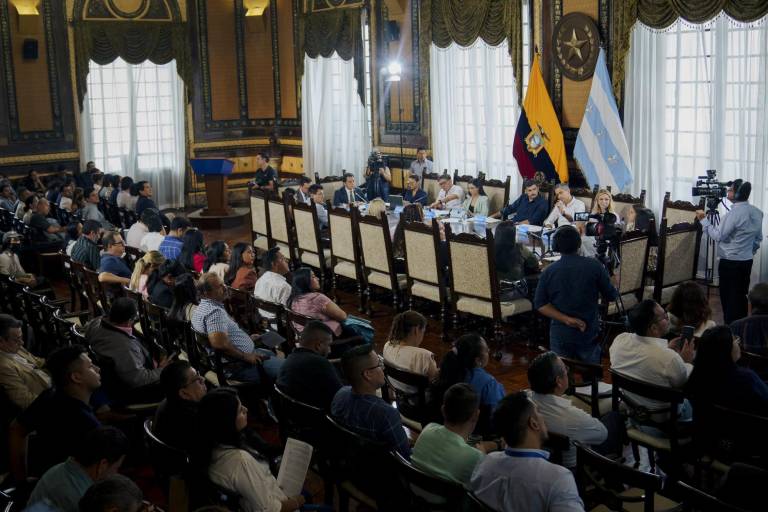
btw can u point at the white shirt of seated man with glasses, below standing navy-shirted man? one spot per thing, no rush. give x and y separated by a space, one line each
564 418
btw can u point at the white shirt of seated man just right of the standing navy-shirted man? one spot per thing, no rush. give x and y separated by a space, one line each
649 360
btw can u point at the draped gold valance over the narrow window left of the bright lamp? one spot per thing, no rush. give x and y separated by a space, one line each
335 30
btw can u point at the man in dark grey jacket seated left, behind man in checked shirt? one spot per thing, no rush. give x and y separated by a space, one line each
112 338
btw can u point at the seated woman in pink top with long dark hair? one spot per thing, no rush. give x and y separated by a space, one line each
307 299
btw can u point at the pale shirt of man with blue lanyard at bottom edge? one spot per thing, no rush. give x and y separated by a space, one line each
528 483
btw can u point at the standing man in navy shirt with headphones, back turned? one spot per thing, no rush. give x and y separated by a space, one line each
568 293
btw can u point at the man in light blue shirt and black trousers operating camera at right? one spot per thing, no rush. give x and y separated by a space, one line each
738 236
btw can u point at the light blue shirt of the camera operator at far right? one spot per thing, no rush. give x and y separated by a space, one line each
739 234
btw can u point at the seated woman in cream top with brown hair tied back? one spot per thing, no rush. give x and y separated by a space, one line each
402 348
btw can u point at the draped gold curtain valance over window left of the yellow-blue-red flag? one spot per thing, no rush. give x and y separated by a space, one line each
464 21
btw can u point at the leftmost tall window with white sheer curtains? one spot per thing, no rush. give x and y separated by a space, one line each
133 125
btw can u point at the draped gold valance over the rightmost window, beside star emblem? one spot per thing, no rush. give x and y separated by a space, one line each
660 14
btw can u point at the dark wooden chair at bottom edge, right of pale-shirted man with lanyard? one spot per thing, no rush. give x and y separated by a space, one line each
616 486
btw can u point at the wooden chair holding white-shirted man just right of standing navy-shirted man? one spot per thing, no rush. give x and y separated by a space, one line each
665 419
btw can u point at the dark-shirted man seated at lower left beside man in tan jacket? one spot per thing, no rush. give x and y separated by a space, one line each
75 378
